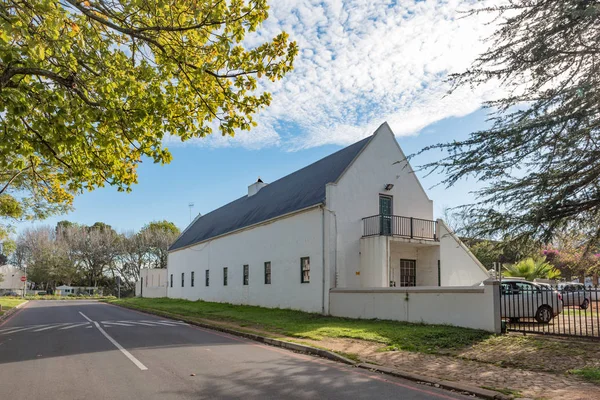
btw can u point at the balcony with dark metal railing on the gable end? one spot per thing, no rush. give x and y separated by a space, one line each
395 225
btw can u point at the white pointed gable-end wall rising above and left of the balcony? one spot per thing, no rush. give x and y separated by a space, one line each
356 196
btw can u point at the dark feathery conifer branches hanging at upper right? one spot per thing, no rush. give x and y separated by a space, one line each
540 158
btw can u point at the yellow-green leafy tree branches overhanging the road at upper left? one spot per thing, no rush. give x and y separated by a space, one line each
90 88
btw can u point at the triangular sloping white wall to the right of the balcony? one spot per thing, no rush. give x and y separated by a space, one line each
458 265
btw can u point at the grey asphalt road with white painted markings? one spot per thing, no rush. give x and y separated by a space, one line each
89 350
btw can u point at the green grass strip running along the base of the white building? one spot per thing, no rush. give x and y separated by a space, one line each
396 335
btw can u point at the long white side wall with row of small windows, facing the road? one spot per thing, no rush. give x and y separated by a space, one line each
282 242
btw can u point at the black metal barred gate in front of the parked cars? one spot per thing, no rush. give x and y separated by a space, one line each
567 309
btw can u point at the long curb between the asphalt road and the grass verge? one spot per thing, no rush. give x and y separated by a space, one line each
455 386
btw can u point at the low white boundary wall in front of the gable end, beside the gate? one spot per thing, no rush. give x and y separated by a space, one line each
474 307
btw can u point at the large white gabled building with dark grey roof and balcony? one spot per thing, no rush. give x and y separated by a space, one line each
356 219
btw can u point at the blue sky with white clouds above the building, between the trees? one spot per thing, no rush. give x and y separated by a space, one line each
360 63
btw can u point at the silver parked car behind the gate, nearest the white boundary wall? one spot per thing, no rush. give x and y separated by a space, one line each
523 299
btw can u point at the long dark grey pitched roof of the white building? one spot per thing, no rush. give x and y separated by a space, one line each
296 191
